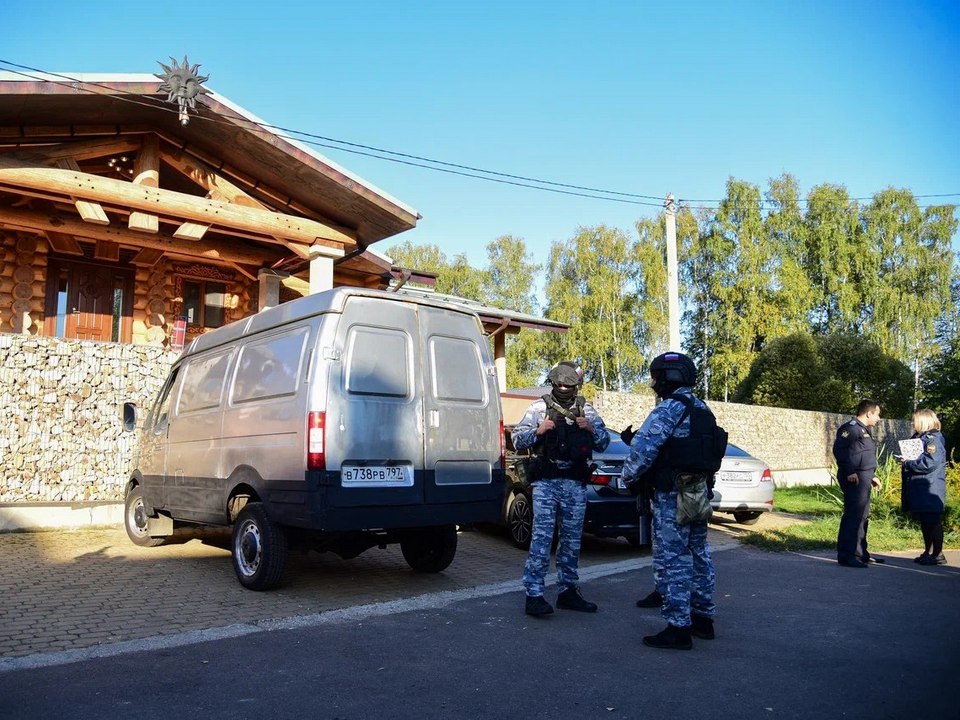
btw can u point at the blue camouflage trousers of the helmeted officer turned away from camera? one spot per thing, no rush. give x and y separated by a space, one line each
686 577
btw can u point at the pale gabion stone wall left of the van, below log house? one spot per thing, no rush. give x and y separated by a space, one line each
61 412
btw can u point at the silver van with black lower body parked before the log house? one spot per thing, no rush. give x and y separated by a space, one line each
341 421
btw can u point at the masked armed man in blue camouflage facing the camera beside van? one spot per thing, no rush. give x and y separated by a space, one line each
563 430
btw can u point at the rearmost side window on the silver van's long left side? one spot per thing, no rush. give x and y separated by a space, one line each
269 368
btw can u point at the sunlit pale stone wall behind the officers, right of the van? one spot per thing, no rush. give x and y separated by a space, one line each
785 439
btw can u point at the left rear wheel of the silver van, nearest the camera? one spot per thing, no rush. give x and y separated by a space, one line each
259 548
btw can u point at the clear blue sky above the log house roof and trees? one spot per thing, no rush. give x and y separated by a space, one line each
633 96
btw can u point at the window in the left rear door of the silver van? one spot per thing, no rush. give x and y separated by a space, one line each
377 362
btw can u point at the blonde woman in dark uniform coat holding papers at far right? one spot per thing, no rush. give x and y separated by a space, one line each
925 486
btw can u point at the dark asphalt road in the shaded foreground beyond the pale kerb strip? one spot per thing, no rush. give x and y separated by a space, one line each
798 637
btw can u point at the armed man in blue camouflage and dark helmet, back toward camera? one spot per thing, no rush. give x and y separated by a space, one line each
681 551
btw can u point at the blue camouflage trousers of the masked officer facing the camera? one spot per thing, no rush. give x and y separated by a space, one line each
559 501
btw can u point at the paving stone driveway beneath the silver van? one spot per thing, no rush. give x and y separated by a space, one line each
67 590
